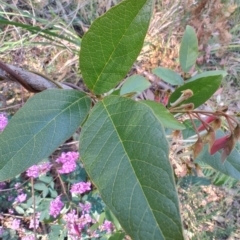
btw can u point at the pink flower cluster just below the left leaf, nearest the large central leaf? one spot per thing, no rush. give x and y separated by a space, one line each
68 162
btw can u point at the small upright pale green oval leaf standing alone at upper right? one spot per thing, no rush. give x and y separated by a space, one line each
188 53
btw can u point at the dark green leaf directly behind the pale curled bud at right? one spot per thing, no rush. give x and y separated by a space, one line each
203 89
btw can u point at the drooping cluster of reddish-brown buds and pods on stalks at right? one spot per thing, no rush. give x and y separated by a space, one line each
209 125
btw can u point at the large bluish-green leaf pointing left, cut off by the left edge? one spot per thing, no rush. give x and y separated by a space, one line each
39 127
